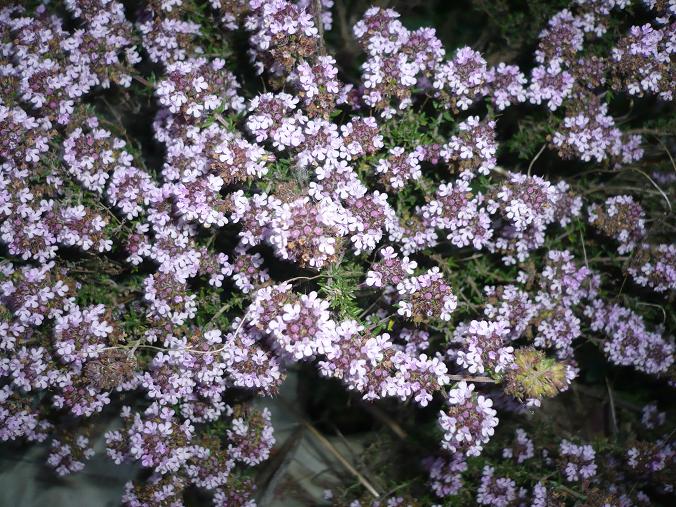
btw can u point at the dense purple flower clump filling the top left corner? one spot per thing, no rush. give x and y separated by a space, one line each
55 68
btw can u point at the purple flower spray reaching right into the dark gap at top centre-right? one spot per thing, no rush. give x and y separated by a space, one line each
399 60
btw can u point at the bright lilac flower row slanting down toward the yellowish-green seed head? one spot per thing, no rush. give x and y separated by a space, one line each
300 327
